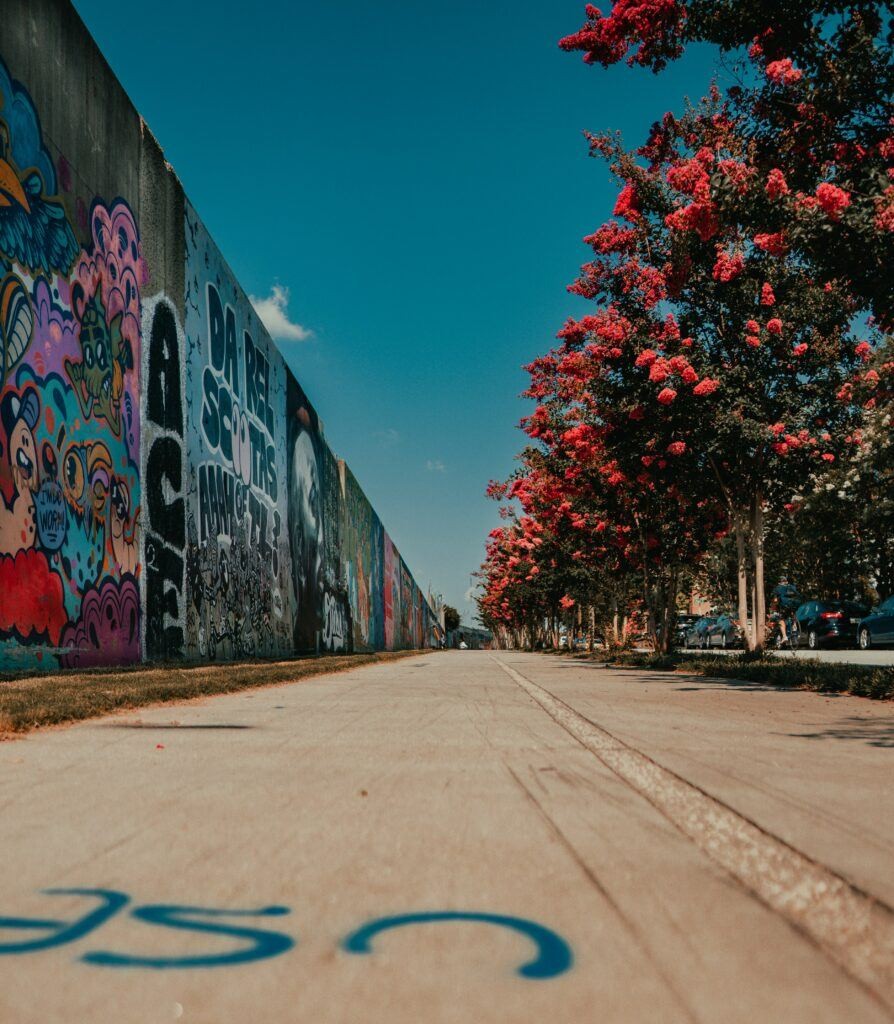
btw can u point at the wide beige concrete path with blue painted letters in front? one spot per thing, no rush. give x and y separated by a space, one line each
460 837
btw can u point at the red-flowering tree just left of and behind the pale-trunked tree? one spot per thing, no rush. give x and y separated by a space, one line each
627 483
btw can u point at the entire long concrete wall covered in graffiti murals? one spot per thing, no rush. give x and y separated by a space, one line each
166 489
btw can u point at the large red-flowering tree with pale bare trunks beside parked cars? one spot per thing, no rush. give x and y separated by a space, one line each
717 342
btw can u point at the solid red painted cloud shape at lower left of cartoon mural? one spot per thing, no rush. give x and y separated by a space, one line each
31 598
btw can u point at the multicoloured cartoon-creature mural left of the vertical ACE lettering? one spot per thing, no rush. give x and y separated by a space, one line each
70 491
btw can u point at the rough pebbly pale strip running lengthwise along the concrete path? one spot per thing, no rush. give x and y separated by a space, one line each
852 927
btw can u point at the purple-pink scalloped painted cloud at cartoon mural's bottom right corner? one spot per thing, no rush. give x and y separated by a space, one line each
108 632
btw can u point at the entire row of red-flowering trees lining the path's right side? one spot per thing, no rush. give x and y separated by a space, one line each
738 360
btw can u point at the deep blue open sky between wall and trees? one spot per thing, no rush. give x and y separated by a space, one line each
414 175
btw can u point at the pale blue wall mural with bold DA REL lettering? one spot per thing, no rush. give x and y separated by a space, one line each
237 538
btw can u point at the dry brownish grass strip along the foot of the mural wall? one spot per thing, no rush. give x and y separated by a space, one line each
36 702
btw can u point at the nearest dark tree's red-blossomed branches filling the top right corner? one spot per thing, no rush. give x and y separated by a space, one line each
815 105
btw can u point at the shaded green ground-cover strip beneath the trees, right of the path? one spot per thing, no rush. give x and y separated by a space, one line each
825 677
